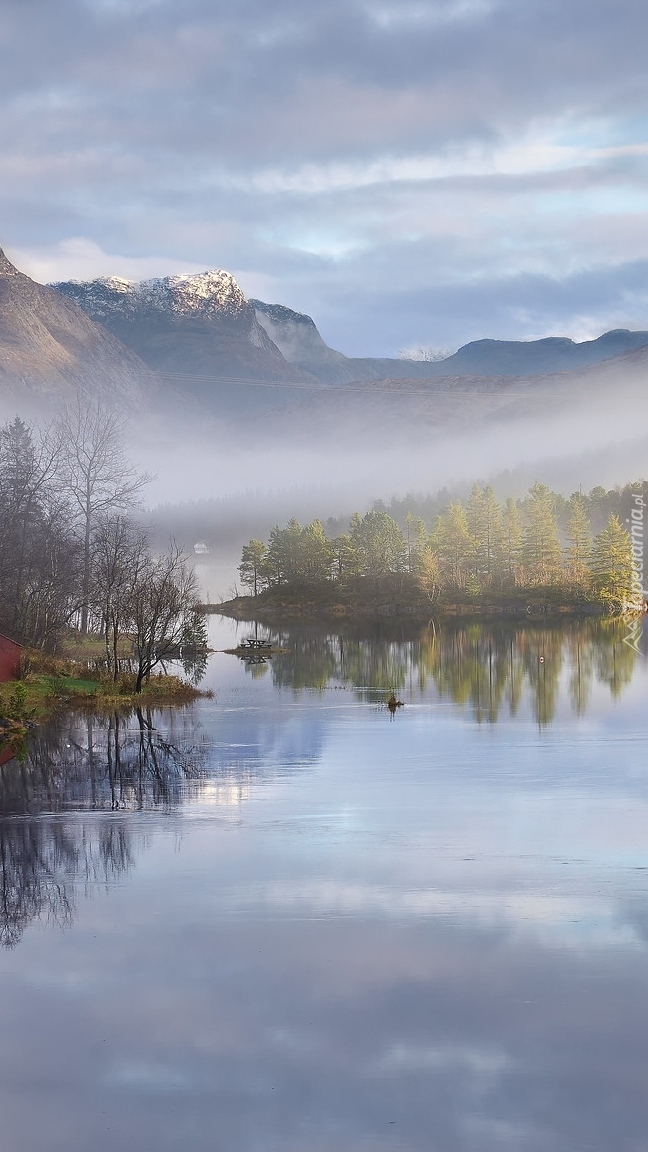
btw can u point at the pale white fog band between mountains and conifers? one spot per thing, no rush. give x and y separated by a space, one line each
228 482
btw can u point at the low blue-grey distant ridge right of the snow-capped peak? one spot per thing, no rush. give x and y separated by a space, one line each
298 338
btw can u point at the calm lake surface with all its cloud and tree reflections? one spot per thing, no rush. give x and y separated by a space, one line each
283 921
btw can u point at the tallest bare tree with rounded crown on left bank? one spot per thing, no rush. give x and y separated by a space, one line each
96 474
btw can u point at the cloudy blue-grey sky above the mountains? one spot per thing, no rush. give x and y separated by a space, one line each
410 173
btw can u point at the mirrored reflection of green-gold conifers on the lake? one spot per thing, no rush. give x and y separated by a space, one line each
486 666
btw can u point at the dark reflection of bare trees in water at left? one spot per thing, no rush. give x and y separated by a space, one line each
89 766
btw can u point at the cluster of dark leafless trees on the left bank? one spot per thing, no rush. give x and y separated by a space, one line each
73 557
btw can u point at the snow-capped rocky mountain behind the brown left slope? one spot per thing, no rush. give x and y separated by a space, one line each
199 332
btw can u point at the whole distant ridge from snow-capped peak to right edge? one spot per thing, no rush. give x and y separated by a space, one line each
204 325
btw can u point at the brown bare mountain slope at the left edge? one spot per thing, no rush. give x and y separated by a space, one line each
50 350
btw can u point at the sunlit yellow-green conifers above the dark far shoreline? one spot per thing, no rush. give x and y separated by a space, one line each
473 549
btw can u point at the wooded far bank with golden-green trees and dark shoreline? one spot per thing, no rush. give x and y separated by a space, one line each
540 554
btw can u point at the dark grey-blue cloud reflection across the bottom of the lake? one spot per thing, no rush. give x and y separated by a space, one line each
433 1037
